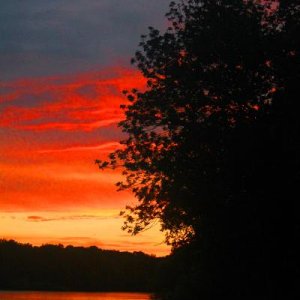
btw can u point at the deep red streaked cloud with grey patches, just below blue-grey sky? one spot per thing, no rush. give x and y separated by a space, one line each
84 102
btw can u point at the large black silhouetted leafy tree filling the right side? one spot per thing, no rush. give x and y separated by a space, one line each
213 143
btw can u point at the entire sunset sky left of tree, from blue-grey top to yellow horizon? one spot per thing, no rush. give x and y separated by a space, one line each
63 66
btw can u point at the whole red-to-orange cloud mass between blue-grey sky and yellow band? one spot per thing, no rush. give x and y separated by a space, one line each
48 149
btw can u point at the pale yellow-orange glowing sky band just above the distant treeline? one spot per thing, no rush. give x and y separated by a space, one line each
82 229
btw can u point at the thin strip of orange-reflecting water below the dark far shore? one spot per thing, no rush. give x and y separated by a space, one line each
72 296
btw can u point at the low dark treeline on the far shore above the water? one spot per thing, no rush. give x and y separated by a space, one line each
55 267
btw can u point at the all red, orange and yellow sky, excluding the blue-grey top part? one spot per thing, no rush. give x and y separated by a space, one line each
51 130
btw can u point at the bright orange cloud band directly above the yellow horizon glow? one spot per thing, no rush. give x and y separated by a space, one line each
60 187
